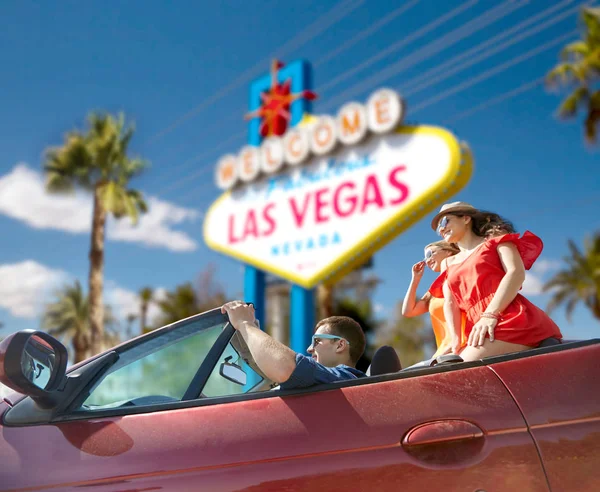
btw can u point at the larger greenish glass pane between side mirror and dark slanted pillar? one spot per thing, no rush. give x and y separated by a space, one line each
157 370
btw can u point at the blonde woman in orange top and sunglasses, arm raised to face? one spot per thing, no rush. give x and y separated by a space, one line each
435 253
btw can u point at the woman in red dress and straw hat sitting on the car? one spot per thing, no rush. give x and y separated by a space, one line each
484 280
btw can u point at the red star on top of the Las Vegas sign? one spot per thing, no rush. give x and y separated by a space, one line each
275 108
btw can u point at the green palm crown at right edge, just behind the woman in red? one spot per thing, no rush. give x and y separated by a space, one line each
580 280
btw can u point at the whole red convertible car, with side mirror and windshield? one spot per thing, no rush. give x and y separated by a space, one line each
185 408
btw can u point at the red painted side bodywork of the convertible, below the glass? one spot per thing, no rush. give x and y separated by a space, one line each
460 430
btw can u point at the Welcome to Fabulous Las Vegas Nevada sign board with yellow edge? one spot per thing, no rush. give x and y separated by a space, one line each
313 204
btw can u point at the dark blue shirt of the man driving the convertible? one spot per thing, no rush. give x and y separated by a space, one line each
309 372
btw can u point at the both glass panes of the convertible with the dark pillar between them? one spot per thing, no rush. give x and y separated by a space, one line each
198 357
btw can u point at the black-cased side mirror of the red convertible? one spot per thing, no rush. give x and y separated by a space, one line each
33 363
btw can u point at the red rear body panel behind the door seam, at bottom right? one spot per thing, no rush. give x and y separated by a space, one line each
559 395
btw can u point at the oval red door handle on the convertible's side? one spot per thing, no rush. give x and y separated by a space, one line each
444 442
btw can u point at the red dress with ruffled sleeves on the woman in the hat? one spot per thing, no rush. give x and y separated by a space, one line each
474 282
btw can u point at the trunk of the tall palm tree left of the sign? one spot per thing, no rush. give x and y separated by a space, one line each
96 274
